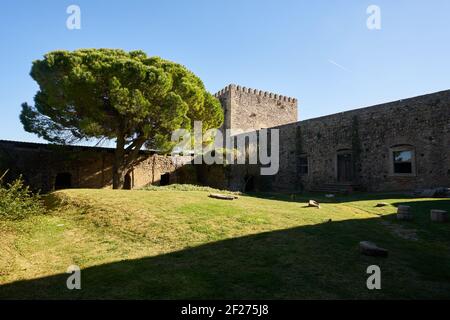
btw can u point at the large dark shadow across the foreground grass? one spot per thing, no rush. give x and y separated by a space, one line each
318 261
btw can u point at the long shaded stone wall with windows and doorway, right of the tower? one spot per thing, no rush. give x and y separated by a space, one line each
369 135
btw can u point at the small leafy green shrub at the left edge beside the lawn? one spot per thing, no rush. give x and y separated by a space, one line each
17 201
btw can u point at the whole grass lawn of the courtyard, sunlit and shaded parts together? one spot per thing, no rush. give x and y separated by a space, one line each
173 244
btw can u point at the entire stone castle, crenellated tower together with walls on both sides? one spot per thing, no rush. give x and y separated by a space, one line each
396 146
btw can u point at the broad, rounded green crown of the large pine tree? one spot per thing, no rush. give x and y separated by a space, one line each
106 93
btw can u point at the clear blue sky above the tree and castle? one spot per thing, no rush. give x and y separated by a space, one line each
320 52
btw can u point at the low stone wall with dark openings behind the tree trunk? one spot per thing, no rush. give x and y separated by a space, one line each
88 167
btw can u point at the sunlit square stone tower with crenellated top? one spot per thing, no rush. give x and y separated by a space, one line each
250 109
